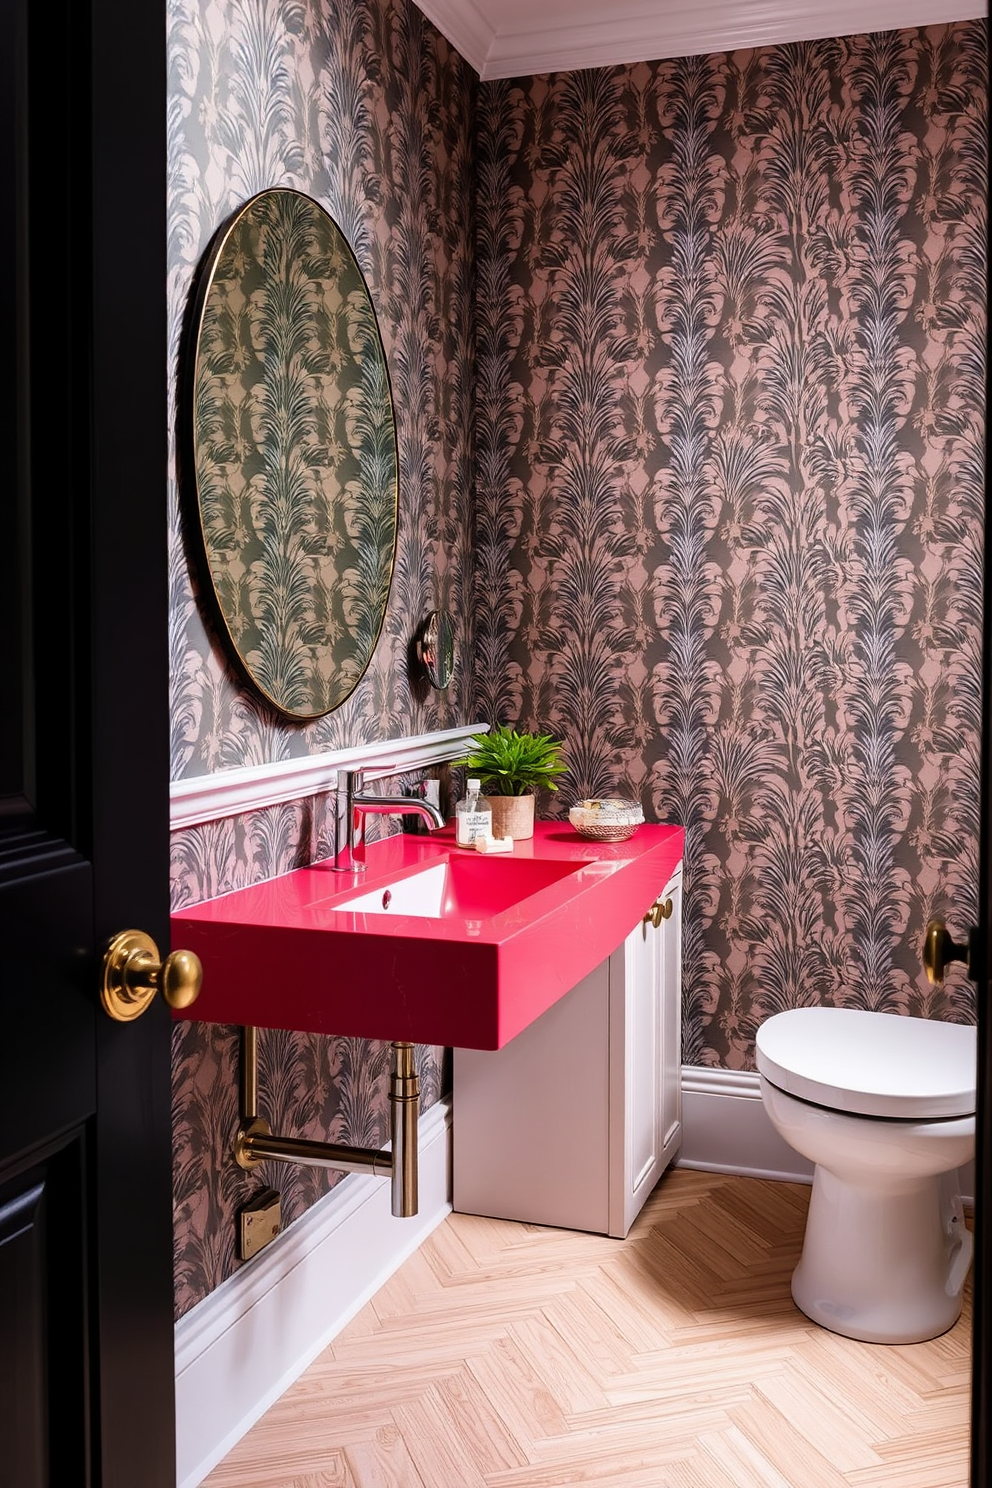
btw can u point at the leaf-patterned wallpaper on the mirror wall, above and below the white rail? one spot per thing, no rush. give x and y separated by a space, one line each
364 106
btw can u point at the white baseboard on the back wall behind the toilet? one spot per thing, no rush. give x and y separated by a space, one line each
727 1130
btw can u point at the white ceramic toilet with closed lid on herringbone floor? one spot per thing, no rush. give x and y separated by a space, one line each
884 1106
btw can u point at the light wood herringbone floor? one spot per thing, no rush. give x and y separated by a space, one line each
515 1356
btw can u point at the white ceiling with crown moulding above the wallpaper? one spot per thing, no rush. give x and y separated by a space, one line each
521 38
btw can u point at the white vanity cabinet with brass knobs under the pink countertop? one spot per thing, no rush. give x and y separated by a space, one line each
576 1120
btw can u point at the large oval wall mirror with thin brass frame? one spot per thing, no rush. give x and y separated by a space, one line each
294 452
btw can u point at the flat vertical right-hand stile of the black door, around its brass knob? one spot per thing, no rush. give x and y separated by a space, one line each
129 102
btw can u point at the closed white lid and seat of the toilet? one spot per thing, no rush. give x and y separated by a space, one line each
872 1065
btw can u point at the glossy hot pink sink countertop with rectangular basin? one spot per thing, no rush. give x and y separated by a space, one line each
518 931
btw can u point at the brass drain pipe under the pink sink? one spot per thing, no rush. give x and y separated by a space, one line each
255 1142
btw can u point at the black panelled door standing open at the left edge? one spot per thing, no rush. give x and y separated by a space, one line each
86 1190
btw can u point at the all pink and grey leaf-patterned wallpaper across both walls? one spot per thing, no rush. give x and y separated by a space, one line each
725 508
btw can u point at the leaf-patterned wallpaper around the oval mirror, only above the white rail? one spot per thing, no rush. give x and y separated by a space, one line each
364 106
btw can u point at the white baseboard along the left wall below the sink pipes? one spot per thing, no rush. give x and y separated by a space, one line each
245 1344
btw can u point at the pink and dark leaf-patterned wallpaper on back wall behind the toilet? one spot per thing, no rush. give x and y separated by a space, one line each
731 414
